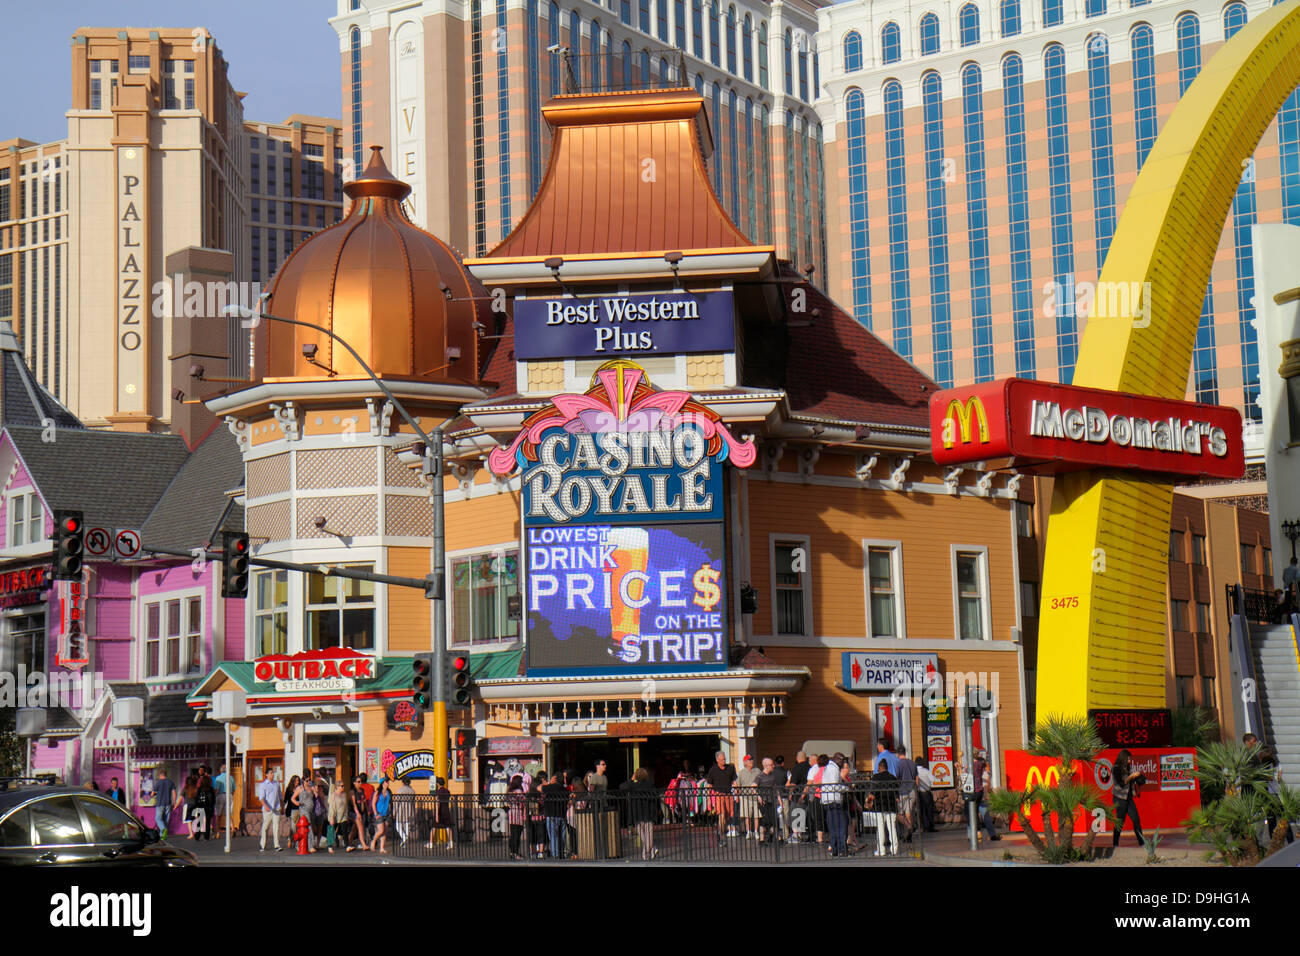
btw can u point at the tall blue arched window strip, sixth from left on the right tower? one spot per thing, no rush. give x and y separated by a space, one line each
1063 220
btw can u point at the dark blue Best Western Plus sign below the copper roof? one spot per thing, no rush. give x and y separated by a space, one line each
631 326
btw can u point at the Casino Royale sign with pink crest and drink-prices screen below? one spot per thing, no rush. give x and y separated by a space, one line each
625 546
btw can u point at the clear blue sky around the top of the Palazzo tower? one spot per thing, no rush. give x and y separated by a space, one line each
284 54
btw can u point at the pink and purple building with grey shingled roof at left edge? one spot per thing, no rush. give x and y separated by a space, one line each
150 626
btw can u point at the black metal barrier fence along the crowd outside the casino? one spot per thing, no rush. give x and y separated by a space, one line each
751 825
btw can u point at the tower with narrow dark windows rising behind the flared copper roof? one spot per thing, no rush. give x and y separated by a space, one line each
454 92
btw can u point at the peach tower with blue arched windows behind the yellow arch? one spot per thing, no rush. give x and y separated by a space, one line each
978 157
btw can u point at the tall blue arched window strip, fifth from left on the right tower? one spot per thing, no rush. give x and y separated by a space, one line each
1019 215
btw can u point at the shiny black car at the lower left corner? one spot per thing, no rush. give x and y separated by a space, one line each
64 827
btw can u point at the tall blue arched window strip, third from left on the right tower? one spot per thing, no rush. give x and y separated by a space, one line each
937 218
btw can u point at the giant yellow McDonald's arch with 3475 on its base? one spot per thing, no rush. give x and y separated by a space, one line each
1108 537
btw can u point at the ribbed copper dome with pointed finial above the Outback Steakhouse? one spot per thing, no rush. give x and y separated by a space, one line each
396 293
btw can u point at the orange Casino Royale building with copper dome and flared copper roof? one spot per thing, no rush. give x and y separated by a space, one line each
690 501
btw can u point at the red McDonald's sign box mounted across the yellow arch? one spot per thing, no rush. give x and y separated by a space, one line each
1047 429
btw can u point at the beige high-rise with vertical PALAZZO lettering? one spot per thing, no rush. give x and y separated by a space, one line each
135 235
